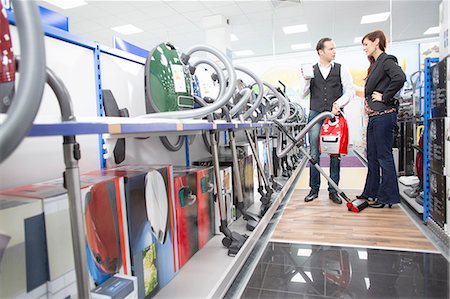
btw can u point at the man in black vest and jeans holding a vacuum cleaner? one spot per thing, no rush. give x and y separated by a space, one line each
331 89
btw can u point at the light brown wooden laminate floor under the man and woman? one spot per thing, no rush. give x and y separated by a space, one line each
324 222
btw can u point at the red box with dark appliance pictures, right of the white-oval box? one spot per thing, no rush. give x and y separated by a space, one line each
194 197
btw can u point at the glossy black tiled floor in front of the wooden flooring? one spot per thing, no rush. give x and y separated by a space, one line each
311 271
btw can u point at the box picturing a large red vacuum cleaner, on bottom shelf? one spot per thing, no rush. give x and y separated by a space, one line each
104 210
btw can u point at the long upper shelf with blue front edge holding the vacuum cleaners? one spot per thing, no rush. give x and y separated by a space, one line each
120 126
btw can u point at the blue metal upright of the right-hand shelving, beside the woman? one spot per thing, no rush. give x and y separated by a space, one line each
426 116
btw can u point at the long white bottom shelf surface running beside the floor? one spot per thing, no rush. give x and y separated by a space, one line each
210 272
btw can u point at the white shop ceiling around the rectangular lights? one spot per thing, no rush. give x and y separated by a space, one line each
257 24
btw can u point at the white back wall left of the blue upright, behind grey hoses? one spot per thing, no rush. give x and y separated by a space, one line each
41 158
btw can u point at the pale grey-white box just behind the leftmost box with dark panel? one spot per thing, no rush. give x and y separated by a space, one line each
53 198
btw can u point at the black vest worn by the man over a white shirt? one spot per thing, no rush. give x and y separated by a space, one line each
324 92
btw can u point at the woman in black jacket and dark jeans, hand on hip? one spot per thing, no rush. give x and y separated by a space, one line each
384 79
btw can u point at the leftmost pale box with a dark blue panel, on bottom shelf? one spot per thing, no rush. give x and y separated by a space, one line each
24 268
